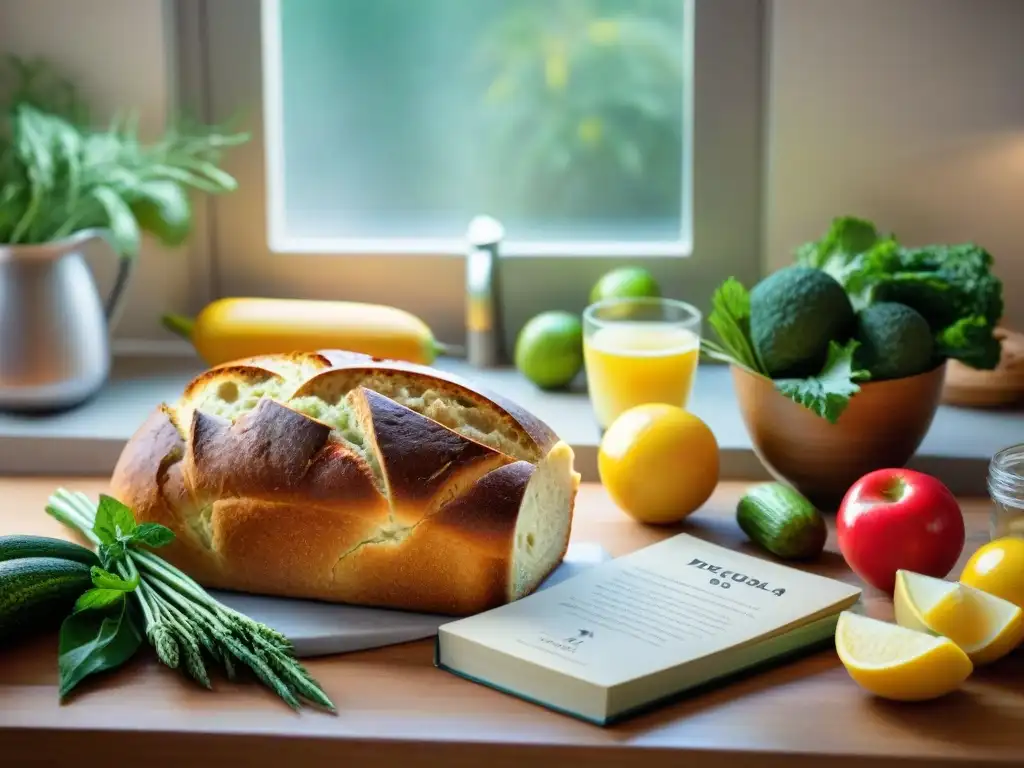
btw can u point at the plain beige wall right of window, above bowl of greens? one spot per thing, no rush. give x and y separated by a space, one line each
908 112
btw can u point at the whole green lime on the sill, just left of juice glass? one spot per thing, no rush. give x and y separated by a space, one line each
549 350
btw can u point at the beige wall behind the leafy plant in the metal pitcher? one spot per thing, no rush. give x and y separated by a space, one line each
92 42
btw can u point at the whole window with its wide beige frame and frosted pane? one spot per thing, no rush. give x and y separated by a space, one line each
599 132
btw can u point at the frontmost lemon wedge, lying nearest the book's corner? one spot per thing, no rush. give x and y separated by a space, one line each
898 663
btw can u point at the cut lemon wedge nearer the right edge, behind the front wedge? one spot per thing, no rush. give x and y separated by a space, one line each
987 627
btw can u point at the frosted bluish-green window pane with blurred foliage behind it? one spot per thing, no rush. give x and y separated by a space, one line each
404 119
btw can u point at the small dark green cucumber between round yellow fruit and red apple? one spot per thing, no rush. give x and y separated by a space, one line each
783 522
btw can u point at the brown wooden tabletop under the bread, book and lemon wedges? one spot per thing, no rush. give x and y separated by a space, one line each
397 709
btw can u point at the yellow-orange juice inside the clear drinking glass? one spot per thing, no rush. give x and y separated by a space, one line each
631 364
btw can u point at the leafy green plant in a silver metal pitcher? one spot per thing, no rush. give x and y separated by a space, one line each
64 184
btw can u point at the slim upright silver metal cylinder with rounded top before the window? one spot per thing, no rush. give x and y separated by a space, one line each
484 318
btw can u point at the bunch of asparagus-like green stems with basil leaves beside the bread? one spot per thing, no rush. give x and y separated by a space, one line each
138 593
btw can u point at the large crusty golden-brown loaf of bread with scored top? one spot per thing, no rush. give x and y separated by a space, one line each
342 478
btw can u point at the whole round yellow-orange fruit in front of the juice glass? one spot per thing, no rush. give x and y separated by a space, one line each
659 463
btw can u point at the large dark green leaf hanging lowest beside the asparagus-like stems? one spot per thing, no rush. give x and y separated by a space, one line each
96 642
